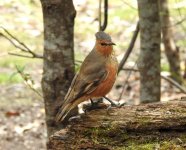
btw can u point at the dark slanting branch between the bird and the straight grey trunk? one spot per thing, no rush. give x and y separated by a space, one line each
129 50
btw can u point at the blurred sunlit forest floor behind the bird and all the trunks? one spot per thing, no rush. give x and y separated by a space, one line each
22 116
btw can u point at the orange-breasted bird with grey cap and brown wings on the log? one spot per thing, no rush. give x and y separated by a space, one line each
95 78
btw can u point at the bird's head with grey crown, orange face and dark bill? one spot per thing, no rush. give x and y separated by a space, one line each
104 43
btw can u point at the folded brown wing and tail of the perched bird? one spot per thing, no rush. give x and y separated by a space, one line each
82 84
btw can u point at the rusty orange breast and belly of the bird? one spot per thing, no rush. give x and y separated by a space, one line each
107 84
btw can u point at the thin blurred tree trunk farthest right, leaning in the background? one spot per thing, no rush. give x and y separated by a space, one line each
171 50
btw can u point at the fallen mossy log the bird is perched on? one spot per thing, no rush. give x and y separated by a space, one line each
146 126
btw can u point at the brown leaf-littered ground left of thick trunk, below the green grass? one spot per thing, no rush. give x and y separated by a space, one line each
22 124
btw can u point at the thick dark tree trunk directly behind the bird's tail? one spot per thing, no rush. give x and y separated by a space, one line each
58 69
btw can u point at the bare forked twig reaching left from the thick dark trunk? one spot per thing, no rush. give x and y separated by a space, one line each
23 47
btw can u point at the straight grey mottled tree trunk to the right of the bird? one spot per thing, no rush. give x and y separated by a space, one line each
149 59
